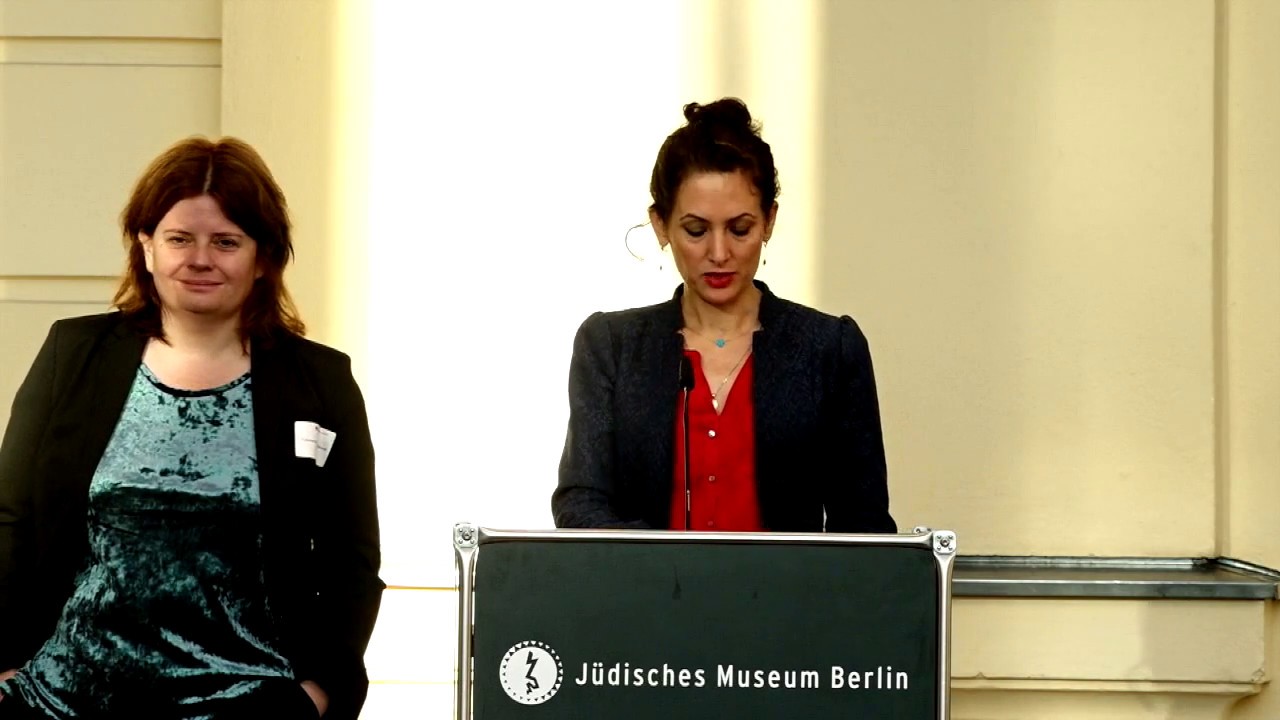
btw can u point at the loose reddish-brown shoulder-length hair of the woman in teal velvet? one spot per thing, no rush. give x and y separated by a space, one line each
235 176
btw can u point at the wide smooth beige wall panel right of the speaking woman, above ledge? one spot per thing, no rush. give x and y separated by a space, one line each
1021 209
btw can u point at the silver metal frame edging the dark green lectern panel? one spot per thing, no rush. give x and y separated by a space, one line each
468 540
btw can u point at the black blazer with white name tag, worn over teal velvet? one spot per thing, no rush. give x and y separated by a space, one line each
321 525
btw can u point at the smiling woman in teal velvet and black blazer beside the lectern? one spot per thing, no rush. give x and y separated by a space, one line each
189 520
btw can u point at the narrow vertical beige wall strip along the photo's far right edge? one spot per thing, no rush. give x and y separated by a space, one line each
1250 279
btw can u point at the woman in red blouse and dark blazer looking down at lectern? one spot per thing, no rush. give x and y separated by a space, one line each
780 400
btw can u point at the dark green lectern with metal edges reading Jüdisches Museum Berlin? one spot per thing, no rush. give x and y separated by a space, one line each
671 626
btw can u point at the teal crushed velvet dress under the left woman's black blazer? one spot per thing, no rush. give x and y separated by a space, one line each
170 618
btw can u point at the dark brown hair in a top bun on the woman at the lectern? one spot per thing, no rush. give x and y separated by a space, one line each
720 138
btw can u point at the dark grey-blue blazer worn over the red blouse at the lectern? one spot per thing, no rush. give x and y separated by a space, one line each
819 446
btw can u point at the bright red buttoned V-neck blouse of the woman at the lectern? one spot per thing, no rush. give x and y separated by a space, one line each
723 463
